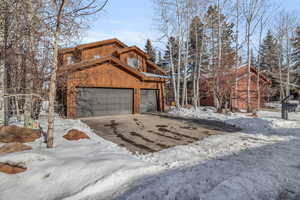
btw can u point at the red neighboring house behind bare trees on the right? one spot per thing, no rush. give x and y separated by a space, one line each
239 101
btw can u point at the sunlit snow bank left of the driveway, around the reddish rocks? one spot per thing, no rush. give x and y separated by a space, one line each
72 169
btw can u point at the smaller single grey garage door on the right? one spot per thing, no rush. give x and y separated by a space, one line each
148 101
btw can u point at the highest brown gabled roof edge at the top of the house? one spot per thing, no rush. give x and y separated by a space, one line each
94 44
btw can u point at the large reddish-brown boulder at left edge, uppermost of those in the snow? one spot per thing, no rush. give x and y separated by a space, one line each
9 134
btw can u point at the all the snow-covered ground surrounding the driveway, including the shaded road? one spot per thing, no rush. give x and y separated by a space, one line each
261 162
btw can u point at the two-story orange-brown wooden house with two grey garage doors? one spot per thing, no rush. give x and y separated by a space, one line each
109 78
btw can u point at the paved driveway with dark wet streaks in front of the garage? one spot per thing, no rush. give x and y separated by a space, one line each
151 133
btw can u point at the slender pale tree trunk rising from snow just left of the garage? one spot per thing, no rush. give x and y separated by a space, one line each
52 92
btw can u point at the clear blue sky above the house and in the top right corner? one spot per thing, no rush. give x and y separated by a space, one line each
131 21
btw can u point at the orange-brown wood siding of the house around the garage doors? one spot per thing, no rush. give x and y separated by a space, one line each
108 75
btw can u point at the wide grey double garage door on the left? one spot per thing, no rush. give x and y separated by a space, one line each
103 101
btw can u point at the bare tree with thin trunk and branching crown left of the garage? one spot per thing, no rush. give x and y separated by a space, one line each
65 16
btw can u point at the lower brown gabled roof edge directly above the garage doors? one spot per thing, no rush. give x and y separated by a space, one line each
96 62
